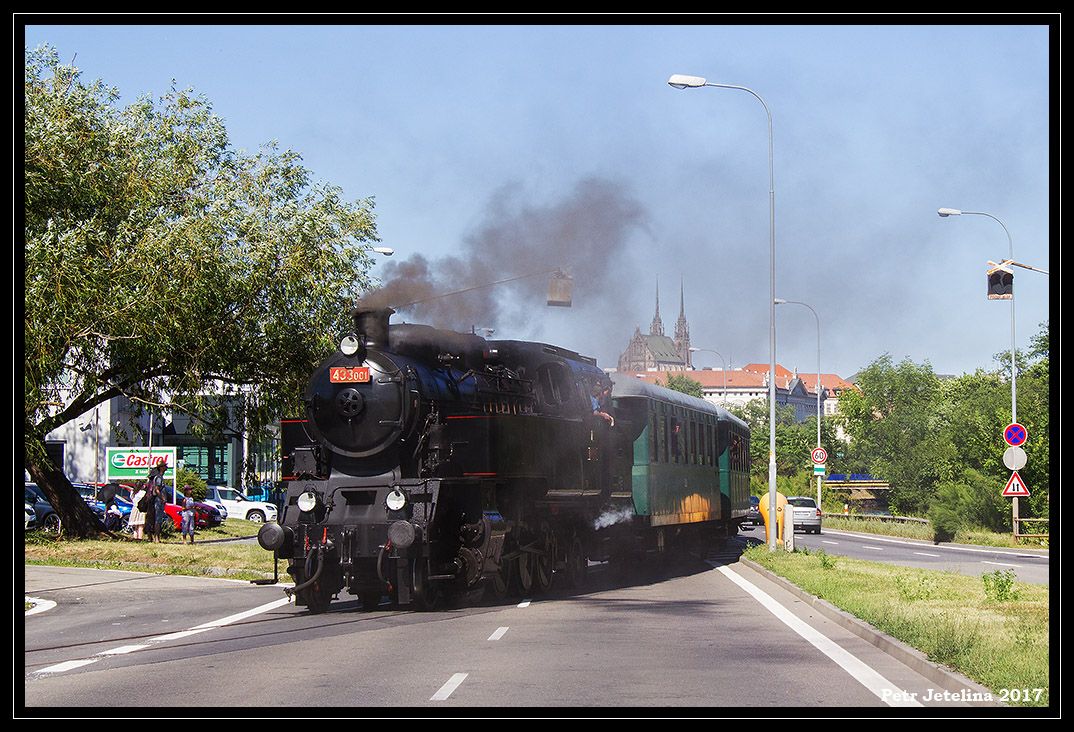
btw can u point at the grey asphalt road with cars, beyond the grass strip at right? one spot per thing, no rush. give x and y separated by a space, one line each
1029 566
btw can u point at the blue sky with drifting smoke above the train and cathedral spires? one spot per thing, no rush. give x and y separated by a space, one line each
497 151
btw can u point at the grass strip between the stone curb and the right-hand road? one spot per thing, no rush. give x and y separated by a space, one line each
993 632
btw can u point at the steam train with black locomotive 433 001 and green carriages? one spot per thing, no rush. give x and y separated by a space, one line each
434 464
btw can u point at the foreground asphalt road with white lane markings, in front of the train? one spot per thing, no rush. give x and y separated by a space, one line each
714 637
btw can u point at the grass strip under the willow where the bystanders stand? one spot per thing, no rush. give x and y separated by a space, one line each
204 559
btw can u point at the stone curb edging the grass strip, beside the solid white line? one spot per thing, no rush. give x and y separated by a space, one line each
909 656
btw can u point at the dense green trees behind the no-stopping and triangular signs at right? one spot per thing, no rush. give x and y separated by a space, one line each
940 444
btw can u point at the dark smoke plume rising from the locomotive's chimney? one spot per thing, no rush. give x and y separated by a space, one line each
586 236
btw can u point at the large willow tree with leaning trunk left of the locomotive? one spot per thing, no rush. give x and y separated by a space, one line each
163 265
